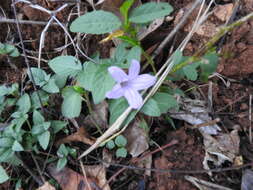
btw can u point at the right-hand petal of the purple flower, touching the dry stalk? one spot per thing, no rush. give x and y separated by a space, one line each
142 82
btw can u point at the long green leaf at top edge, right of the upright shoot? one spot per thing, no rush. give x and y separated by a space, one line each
149 12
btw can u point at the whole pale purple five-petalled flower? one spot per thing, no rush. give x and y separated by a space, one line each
129 85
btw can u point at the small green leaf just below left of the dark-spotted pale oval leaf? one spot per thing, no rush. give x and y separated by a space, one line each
39 76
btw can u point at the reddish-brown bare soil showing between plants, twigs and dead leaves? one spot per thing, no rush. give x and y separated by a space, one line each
230 102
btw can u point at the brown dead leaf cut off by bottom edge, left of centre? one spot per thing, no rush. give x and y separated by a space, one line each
68 179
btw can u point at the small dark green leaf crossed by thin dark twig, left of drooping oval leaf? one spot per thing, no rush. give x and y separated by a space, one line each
35 99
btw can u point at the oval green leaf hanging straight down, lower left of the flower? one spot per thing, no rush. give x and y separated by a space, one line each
71 106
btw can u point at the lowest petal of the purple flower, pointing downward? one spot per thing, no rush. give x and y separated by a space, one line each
134 99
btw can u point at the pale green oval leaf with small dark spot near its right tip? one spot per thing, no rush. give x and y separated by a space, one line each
65 65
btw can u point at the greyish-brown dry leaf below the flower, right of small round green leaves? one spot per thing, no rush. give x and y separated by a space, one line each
137 139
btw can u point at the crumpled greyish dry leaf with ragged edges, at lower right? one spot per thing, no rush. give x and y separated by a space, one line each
223 147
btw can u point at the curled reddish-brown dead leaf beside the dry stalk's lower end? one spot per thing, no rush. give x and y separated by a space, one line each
80 136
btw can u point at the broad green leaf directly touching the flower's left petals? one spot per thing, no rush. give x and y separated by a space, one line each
103 82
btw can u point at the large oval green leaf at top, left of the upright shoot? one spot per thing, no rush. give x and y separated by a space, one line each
96 22
